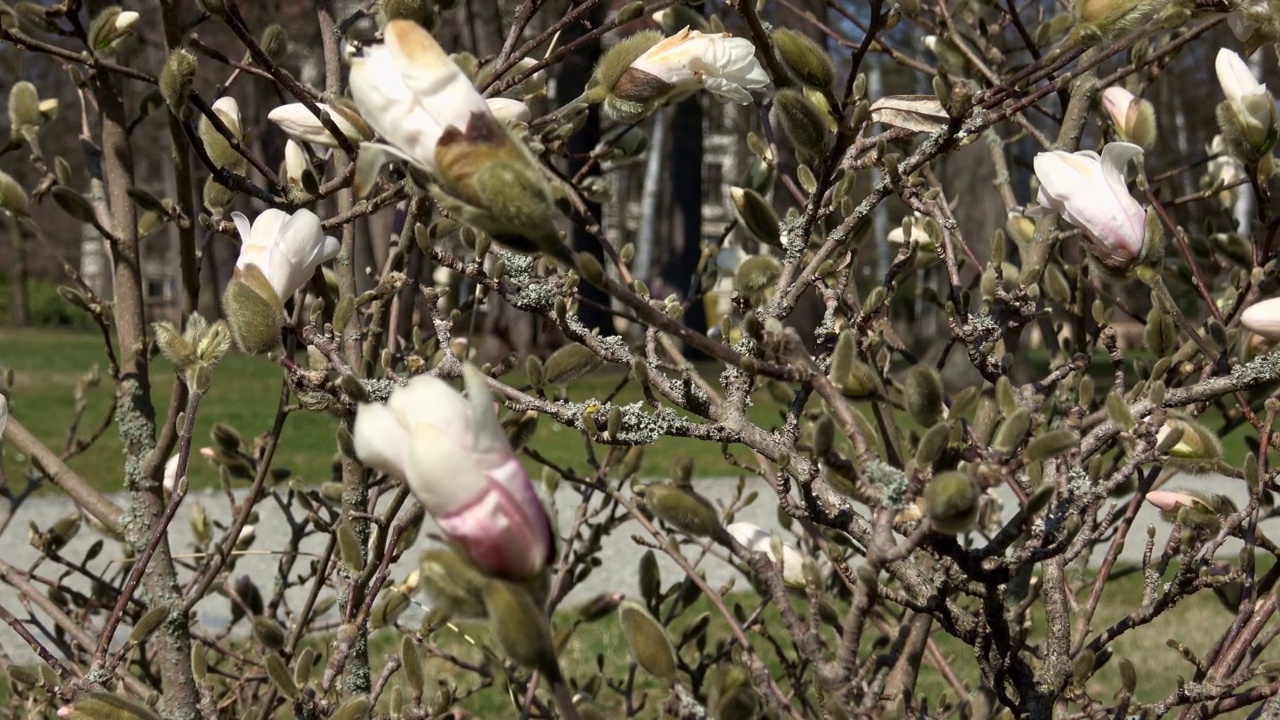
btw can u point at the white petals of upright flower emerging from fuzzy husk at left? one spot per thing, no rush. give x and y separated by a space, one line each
287 249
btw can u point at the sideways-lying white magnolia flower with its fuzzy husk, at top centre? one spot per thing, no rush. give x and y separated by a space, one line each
668 70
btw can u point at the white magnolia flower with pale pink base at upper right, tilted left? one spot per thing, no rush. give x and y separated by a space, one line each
1091 194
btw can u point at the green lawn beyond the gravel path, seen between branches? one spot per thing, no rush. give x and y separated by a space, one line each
48 366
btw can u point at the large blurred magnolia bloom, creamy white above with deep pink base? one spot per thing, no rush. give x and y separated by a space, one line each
456 459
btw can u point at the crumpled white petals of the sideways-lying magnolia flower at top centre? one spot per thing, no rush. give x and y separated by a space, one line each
721 65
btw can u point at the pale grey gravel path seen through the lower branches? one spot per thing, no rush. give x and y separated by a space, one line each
616 575
